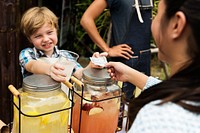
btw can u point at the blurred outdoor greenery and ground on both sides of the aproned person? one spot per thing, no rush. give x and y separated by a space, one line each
84 46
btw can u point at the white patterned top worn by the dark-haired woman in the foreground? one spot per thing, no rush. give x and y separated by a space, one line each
165 118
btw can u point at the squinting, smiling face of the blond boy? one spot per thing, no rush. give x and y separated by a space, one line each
45 39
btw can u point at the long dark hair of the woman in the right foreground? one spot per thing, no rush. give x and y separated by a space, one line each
184 85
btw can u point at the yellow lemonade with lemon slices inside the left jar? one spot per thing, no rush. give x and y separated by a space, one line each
50 123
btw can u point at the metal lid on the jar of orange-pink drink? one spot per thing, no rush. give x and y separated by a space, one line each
96 75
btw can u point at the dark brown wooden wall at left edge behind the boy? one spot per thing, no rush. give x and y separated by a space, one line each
11 42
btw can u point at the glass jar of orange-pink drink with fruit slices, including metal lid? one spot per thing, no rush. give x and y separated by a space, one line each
96 108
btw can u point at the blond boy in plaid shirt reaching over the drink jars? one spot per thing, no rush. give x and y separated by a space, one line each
40 26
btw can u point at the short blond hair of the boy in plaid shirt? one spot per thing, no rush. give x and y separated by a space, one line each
35 17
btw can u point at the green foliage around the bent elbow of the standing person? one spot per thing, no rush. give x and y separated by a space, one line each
83 44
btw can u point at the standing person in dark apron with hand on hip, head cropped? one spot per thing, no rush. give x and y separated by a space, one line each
130 39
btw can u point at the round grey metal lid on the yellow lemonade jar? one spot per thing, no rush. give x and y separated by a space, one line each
40 82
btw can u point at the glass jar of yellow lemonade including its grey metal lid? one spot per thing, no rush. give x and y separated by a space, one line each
39 95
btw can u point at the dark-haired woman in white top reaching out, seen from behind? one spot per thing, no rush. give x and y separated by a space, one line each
172 105
